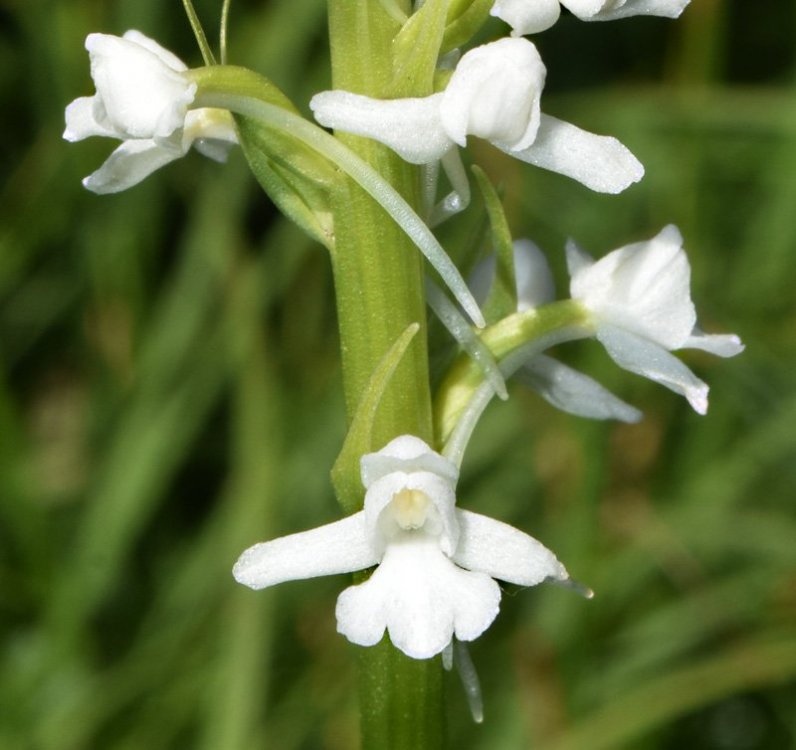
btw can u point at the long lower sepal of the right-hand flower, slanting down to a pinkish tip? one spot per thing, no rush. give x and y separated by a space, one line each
647 358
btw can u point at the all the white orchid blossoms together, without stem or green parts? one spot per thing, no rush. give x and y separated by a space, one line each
436 566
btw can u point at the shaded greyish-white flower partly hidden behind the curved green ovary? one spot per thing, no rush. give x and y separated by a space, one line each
560 385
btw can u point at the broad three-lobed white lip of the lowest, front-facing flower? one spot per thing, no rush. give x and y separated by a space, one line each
421 598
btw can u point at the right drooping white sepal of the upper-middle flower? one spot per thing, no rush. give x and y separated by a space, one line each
599 162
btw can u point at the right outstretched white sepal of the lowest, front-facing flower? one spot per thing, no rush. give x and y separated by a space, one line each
503 552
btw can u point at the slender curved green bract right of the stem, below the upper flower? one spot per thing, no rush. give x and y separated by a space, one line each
502 298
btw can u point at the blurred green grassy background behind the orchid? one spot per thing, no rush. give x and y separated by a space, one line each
170 394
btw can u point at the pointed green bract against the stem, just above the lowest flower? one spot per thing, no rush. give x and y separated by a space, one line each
345 472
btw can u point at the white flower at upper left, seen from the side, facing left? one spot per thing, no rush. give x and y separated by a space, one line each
143 99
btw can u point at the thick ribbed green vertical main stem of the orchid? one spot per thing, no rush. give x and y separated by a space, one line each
378 278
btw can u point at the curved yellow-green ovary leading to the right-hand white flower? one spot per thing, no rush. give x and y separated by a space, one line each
516 336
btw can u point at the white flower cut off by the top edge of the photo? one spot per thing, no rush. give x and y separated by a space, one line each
532 16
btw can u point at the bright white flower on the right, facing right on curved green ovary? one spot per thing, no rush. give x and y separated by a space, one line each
640 304
